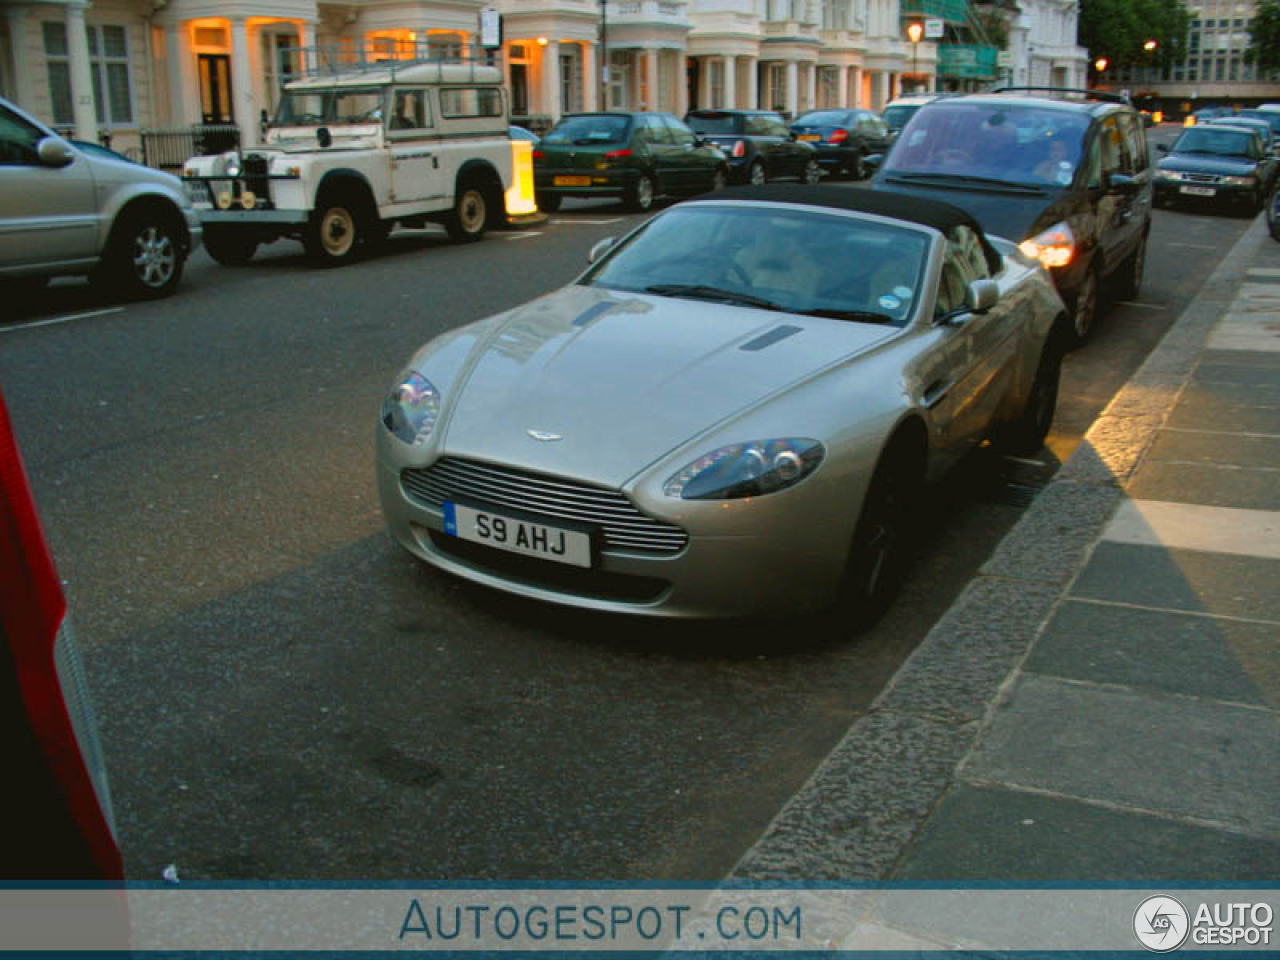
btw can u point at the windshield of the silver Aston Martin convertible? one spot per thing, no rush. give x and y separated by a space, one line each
797 262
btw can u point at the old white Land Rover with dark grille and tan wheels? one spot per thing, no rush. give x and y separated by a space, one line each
355 152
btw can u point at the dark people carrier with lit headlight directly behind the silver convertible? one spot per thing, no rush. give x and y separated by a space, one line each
1063 173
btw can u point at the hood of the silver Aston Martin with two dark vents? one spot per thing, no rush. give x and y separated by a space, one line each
623 380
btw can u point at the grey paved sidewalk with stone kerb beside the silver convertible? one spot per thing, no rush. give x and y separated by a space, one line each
1103 703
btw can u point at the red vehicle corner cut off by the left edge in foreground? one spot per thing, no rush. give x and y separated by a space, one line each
51 725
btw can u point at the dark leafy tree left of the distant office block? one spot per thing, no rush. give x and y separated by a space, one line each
1119 30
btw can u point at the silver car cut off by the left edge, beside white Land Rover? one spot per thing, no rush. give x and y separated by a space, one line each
72 213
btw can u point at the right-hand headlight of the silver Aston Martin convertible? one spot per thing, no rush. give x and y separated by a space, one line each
747 470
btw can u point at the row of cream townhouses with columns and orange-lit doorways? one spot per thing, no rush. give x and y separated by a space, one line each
112 68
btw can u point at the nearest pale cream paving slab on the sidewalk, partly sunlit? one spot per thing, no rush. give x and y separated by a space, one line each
1192 527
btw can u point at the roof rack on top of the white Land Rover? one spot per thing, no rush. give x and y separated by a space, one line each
391 57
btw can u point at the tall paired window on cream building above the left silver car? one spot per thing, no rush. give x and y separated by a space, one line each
109 71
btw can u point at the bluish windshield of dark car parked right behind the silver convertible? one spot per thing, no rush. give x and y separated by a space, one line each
994 141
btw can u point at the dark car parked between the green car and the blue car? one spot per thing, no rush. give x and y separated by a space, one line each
757 145
